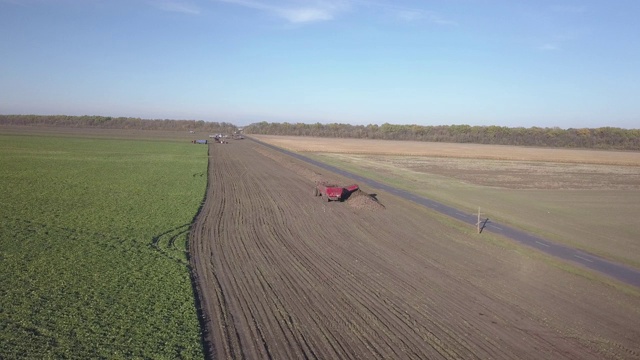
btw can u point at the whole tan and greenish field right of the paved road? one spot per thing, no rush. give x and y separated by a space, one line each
582 198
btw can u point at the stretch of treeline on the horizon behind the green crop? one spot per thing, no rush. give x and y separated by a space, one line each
107 122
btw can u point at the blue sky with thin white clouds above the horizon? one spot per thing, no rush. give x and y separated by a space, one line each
573 63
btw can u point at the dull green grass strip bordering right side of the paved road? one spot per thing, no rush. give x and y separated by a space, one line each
602 222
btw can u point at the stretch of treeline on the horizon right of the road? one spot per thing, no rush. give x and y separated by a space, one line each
600 138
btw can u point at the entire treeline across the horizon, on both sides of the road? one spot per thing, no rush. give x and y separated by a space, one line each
605 138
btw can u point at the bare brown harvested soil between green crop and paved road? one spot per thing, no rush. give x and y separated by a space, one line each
282 275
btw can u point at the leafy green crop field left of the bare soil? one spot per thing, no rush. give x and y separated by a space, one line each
93 243
